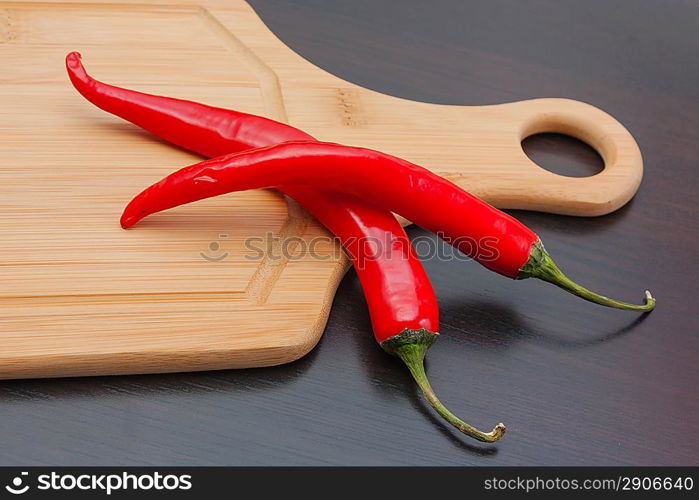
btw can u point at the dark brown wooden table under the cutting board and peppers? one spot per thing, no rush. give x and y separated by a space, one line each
576 383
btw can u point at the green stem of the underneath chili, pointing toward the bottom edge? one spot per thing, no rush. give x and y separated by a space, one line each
411 348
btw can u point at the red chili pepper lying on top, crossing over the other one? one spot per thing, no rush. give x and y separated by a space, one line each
491 237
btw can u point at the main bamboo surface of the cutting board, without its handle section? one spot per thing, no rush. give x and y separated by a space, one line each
79 295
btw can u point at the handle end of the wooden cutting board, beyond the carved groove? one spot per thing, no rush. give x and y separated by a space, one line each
477 147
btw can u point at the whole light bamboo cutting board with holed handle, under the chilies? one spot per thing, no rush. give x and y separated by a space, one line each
80 296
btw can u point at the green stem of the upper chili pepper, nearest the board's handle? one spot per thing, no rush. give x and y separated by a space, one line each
540 265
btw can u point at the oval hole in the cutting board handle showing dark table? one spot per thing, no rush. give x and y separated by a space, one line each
563 154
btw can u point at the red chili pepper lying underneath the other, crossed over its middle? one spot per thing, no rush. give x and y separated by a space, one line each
401 301
